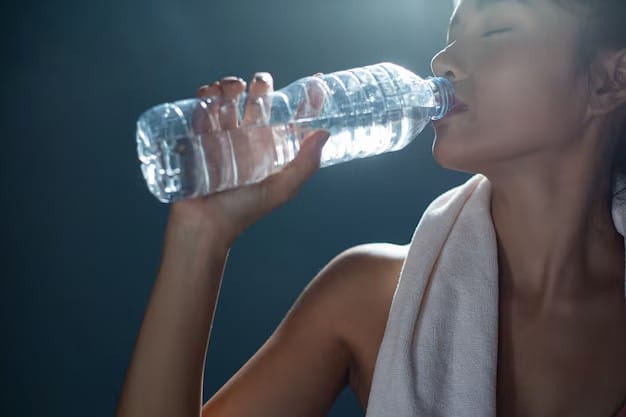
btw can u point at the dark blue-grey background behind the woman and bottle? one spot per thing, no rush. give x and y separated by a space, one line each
81 233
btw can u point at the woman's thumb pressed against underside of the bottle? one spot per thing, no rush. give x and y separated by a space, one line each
284 185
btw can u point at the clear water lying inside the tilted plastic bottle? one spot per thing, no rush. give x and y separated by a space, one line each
191 166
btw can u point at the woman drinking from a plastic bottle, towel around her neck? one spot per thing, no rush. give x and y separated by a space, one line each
544 82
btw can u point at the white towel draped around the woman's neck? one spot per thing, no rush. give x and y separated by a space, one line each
438 357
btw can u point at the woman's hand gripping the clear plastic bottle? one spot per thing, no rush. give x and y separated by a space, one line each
228 213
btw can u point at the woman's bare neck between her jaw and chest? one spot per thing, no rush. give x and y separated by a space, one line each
556 237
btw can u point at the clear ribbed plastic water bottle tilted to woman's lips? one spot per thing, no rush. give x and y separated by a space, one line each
368 111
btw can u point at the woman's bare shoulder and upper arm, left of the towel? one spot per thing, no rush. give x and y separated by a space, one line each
329 339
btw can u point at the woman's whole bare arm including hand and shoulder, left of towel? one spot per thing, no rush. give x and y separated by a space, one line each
329 339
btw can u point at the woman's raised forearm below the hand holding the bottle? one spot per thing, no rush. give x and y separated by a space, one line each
165 374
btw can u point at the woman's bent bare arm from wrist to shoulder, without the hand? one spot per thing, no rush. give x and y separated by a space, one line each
300 370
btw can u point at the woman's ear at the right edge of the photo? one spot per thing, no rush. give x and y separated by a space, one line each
608 82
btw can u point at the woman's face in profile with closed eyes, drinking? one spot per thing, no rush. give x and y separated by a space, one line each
513 65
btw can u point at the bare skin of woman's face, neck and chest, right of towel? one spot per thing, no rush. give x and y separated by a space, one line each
562 310
